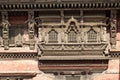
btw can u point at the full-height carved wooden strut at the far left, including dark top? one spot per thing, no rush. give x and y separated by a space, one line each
5 25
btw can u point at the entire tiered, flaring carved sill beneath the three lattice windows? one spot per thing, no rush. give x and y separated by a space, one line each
69 50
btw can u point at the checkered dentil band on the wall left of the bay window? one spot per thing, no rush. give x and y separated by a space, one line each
8 56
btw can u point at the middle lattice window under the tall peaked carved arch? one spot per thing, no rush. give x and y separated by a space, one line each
72 36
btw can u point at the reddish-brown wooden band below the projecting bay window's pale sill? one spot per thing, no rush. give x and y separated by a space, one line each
95 67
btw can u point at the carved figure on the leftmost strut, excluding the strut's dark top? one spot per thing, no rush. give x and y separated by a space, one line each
6 25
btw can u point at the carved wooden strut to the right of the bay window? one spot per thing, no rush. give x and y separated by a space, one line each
113 29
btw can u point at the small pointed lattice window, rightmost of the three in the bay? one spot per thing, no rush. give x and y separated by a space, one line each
92 35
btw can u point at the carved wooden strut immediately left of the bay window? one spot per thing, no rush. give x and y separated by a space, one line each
31 30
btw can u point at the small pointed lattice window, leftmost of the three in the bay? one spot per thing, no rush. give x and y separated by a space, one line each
53 36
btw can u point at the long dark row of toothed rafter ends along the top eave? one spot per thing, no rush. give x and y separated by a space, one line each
56 5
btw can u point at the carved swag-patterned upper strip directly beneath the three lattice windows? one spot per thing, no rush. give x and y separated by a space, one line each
77 46
